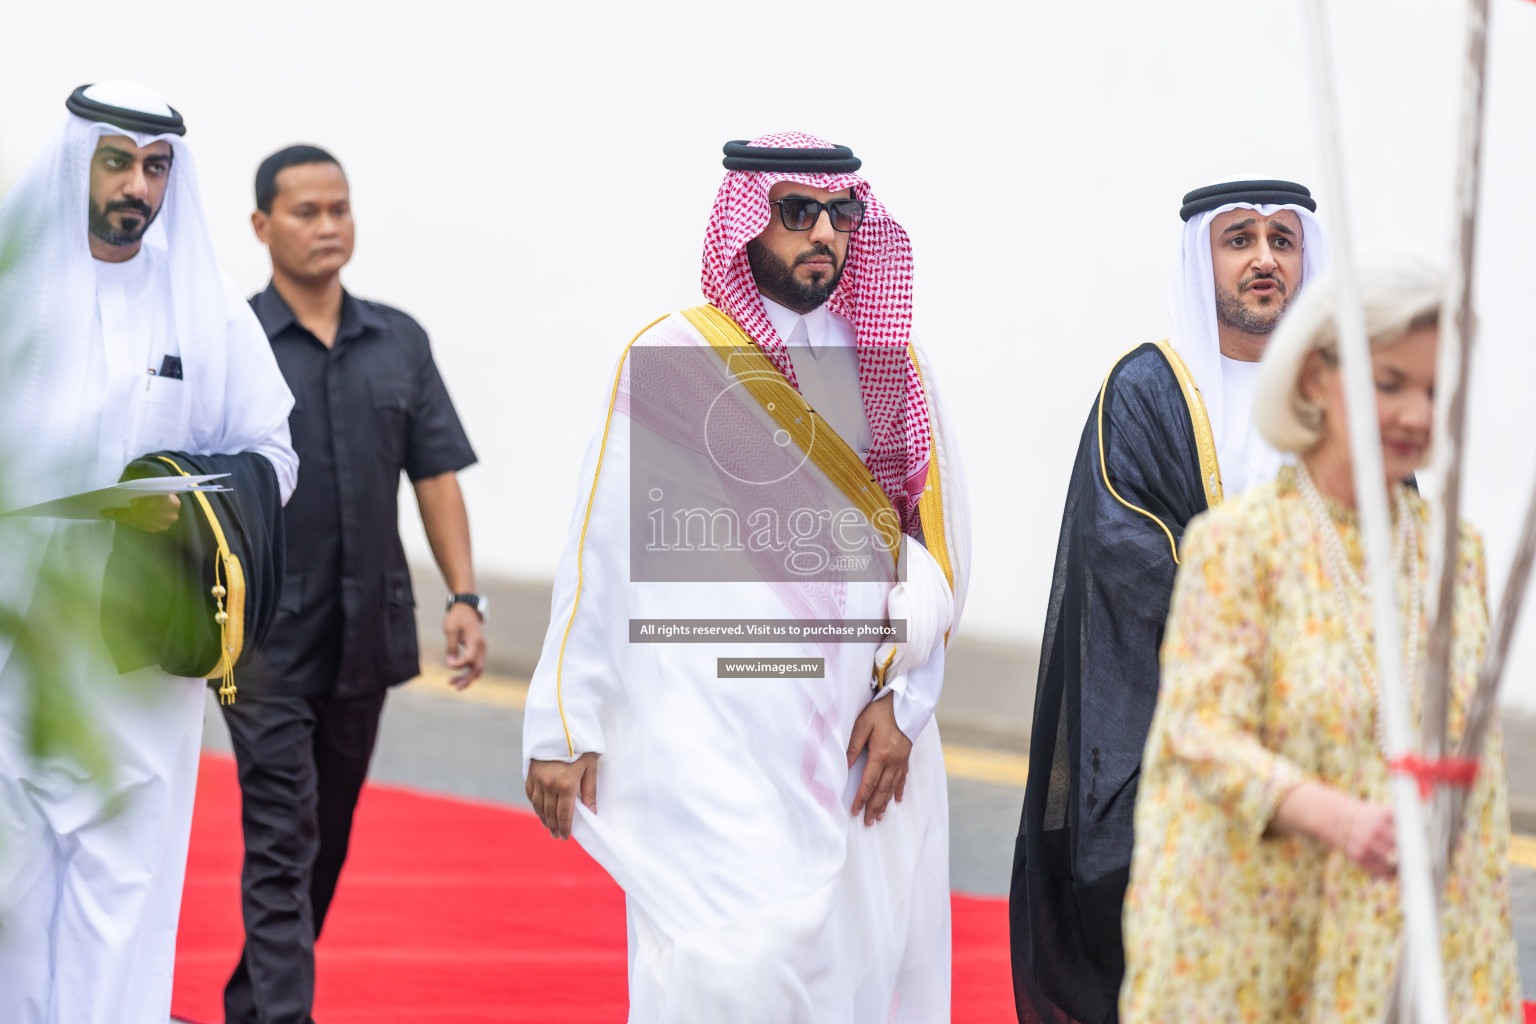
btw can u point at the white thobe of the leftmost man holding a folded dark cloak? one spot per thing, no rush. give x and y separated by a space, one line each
90 899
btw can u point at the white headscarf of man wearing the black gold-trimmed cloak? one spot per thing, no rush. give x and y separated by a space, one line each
1243 457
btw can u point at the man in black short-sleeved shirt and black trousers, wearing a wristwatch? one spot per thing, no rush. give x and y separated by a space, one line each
368 405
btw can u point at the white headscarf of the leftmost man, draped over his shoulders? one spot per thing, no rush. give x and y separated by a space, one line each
48 285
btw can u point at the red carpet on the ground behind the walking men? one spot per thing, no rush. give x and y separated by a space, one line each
460 913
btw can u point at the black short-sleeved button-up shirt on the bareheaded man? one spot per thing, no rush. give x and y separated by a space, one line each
365 409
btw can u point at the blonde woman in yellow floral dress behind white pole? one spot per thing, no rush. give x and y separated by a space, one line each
1263 885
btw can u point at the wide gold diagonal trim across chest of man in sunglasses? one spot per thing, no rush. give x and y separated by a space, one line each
804 424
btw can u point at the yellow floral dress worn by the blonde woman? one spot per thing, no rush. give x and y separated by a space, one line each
1260 692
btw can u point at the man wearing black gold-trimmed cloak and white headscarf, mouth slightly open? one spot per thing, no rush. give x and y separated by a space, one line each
1170 432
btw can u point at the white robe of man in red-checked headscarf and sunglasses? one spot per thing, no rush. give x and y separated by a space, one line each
724 805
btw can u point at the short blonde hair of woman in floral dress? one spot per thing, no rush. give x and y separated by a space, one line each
1400 294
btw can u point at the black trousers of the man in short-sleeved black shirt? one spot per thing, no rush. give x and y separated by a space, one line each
302 765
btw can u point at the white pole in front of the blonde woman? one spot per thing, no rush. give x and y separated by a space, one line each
1417 887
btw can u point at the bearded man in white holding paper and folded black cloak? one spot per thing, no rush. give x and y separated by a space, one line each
124 345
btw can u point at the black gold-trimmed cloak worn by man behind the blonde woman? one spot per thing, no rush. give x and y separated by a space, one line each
1150 441
